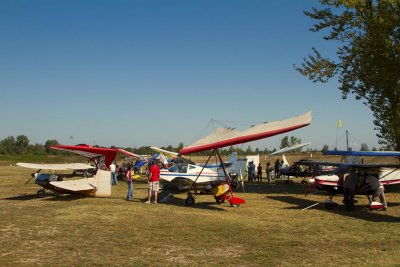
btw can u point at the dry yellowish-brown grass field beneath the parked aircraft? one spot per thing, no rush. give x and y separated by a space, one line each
271 229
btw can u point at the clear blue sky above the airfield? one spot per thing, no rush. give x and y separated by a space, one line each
135 73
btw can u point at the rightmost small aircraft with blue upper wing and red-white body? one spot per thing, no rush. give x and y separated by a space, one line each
374 178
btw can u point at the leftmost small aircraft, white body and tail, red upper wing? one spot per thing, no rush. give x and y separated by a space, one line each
98 186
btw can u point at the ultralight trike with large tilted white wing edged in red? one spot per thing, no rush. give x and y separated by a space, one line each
223 137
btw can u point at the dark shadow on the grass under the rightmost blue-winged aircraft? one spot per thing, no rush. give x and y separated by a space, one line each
361 212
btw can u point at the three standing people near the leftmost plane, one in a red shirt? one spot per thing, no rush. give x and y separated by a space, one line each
153 180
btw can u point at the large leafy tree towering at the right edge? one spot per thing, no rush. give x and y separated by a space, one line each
368 60
